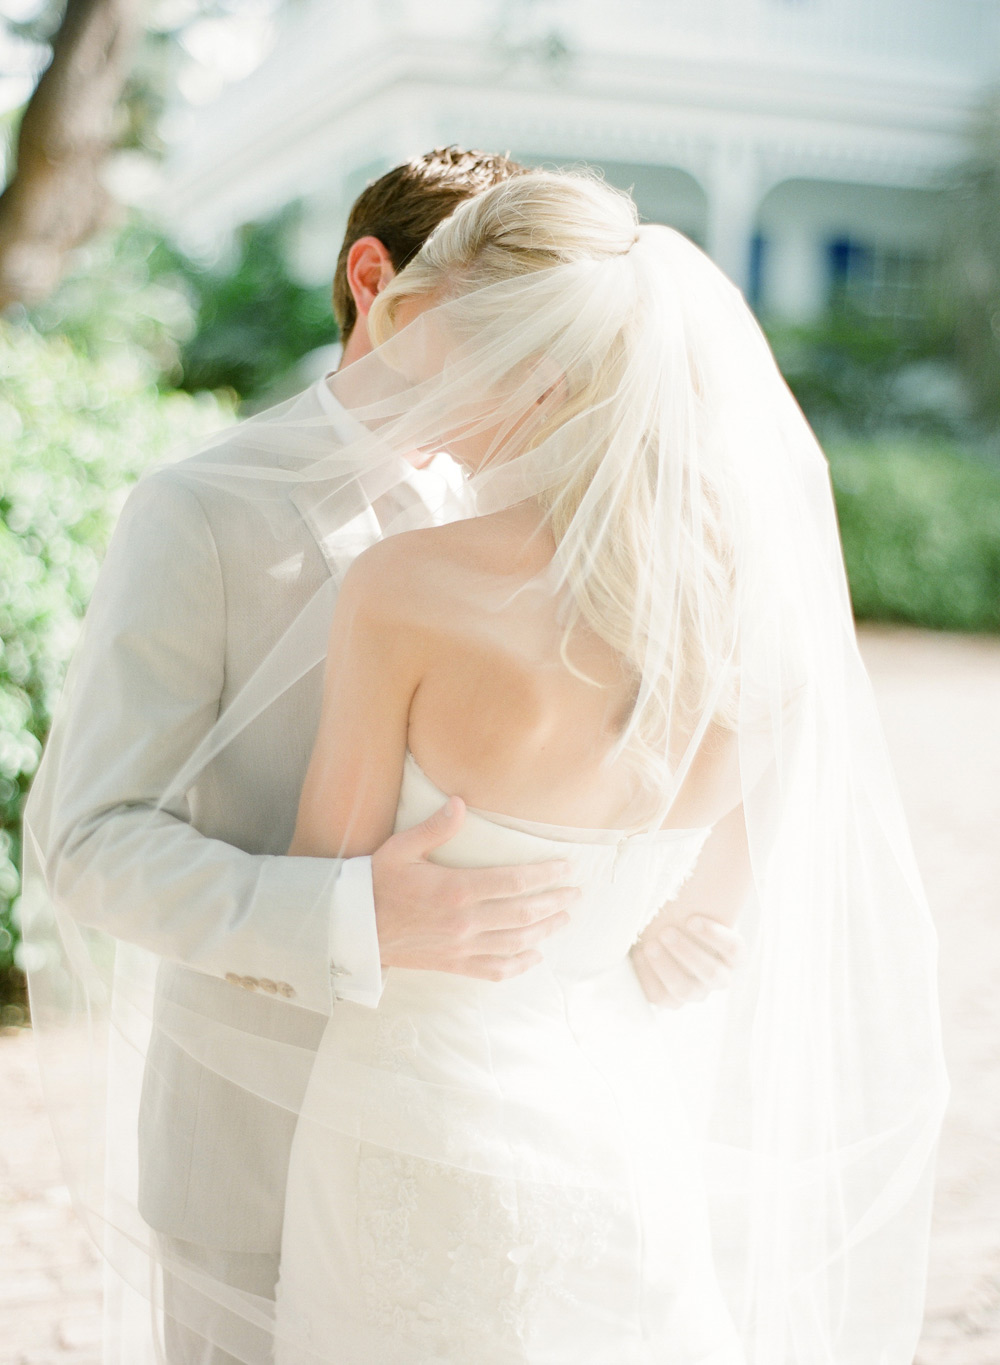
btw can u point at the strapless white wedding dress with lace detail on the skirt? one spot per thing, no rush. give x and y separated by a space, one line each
505 1173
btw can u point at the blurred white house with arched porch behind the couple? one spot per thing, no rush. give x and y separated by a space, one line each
803 143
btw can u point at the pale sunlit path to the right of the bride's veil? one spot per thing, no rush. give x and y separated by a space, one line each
939 700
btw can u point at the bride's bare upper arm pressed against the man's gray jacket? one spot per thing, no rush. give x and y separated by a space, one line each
374 667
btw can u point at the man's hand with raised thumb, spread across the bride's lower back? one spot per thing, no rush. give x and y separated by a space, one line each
482 922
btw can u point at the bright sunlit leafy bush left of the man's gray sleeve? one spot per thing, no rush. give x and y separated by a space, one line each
74 435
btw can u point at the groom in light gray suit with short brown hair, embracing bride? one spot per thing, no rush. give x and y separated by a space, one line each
183 615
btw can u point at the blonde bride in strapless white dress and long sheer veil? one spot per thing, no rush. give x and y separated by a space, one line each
636 657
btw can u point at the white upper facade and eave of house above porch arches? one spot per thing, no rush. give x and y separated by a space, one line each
872 91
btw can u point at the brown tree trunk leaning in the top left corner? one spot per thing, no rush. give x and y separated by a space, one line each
57 200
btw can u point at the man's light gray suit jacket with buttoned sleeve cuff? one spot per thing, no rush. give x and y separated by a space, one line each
188 605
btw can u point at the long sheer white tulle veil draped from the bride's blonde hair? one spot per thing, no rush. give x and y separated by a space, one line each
613 375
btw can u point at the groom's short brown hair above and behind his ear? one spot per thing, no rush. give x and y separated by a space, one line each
405 207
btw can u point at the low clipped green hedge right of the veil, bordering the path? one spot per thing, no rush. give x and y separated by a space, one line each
922 534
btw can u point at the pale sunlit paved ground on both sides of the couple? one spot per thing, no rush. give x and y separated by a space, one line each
938 697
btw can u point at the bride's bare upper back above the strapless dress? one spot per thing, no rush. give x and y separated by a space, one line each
499 717
